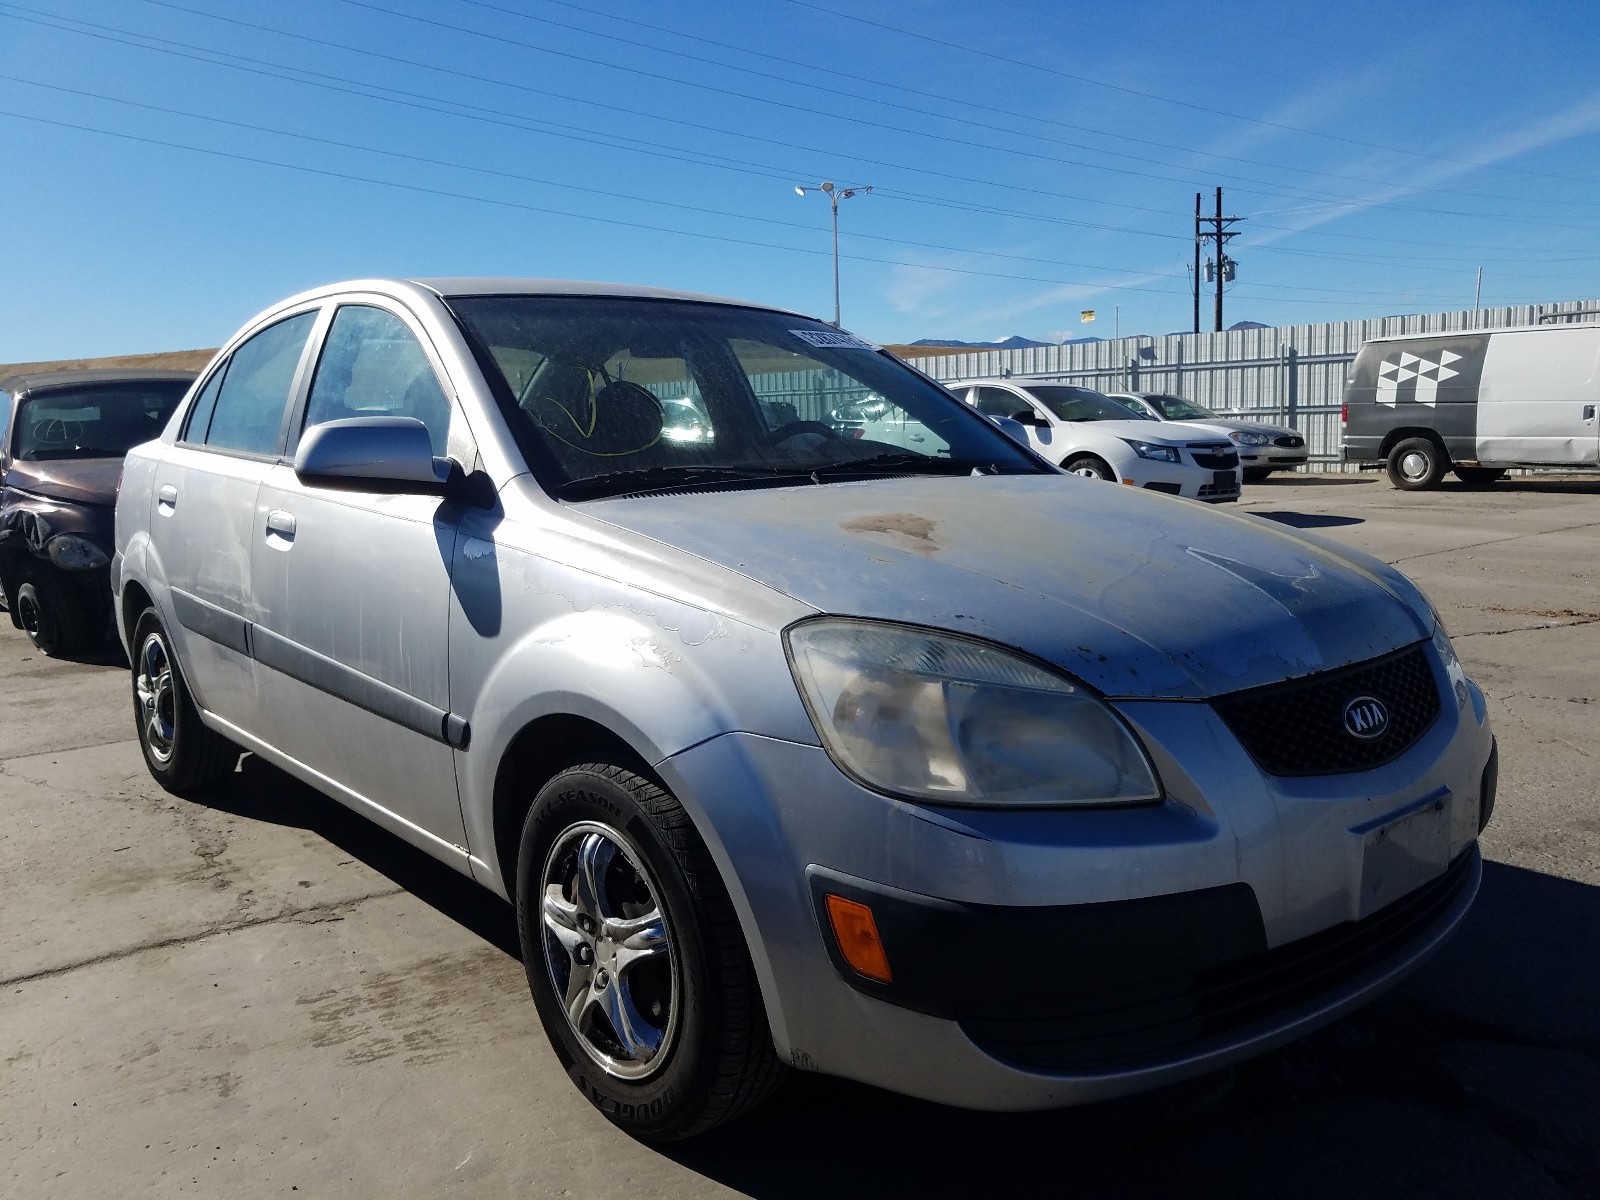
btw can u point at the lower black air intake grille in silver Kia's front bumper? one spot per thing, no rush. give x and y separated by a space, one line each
1142 1026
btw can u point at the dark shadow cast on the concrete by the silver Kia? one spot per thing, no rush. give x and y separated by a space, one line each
1479 1078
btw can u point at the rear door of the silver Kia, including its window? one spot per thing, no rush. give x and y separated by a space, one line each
206 510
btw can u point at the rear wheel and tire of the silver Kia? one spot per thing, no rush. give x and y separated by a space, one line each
182 753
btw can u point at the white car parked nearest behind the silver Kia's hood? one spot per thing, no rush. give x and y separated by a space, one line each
1090 434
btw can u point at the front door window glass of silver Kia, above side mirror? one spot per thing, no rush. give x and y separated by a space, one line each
374 366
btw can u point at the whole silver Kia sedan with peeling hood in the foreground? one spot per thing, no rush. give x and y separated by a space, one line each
913 764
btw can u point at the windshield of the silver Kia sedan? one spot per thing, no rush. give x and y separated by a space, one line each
615 396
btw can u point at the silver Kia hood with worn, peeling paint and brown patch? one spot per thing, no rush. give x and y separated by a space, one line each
1137 594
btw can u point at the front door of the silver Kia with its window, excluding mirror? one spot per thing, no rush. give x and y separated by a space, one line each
353 591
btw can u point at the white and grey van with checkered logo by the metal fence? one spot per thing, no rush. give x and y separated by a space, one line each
1474 404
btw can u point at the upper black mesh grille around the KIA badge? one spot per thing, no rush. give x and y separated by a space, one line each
1298 727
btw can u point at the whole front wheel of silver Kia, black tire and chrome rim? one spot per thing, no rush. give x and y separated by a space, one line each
636 959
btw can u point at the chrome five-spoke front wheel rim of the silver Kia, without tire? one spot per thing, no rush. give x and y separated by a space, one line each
609 951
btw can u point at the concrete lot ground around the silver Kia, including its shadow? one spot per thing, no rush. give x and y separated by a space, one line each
265 996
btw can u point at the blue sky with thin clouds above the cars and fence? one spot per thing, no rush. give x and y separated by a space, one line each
177 166
